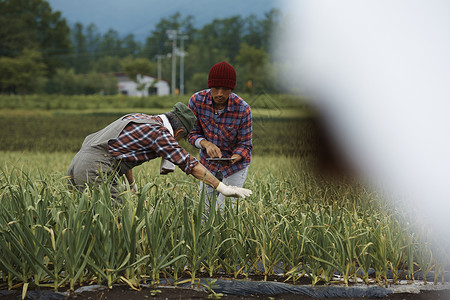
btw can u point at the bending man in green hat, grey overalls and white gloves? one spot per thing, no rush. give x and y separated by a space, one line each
134 139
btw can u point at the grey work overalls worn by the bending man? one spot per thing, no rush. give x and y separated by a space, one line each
92 165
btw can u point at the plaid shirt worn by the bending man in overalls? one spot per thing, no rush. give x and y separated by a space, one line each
139 143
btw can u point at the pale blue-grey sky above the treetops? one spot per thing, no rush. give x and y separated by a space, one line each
140 16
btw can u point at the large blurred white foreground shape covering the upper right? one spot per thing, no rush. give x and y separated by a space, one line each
379 71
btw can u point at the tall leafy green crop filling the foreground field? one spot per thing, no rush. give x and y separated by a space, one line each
293 223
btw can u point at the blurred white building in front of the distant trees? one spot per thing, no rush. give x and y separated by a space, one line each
143 86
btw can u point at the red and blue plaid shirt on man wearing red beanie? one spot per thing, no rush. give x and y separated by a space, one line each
230 130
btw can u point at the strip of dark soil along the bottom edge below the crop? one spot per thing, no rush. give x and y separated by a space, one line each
124 292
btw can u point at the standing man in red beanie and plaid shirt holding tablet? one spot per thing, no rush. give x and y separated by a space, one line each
223 129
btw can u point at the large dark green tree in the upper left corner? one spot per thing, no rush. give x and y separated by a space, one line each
31 24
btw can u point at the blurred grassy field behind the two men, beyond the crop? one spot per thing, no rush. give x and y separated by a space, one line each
281 124
